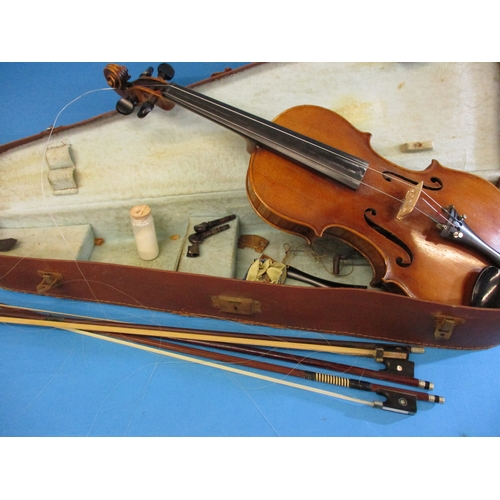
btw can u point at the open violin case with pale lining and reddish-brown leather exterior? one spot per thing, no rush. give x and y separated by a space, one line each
66 198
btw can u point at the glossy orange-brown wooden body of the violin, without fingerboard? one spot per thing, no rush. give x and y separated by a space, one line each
407 256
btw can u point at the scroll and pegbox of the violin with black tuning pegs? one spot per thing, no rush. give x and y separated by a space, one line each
146 90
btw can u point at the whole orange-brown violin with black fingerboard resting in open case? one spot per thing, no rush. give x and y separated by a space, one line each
312 173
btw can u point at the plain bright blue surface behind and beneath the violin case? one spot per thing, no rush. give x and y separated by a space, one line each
55 383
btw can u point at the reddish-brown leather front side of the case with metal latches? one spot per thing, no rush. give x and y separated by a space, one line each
359 313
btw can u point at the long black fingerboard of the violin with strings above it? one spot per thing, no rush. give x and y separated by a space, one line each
344 168
